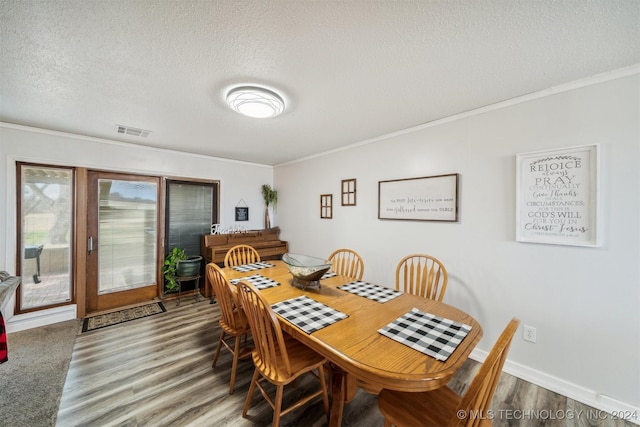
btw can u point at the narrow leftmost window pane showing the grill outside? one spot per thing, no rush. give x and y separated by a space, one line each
45 233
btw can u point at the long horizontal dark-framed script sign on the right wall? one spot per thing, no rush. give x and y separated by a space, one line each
430 198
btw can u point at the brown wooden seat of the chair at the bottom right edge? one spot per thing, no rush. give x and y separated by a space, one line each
430 408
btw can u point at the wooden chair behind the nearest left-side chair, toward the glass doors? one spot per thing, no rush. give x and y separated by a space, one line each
232 321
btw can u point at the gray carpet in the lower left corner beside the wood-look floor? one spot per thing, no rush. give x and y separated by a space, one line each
31 382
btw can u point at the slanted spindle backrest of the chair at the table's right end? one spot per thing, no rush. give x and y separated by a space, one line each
478 396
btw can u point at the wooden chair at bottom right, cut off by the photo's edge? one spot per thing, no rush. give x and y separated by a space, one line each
444 407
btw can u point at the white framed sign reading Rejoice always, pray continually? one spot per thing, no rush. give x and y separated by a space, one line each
557 196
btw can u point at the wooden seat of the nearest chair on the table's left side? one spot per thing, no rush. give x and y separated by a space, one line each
301 359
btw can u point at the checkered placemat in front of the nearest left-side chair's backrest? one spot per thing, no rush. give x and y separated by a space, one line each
307 313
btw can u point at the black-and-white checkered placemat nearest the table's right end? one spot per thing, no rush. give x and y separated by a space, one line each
432 335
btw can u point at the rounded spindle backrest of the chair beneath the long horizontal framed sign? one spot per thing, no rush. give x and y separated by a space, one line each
422 275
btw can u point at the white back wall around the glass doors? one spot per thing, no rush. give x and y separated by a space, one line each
238 180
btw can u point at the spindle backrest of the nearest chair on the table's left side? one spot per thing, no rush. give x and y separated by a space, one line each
266 332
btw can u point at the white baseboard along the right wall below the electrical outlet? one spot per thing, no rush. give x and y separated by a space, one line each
571 390
